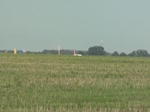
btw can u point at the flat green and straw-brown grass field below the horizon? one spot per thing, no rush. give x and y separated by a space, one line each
51 83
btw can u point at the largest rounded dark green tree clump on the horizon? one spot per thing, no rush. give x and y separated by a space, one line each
96 50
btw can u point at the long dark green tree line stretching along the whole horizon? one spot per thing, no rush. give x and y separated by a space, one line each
94 50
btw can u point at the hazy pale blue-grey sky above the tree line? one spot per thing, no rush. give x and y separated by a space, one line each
35 25
